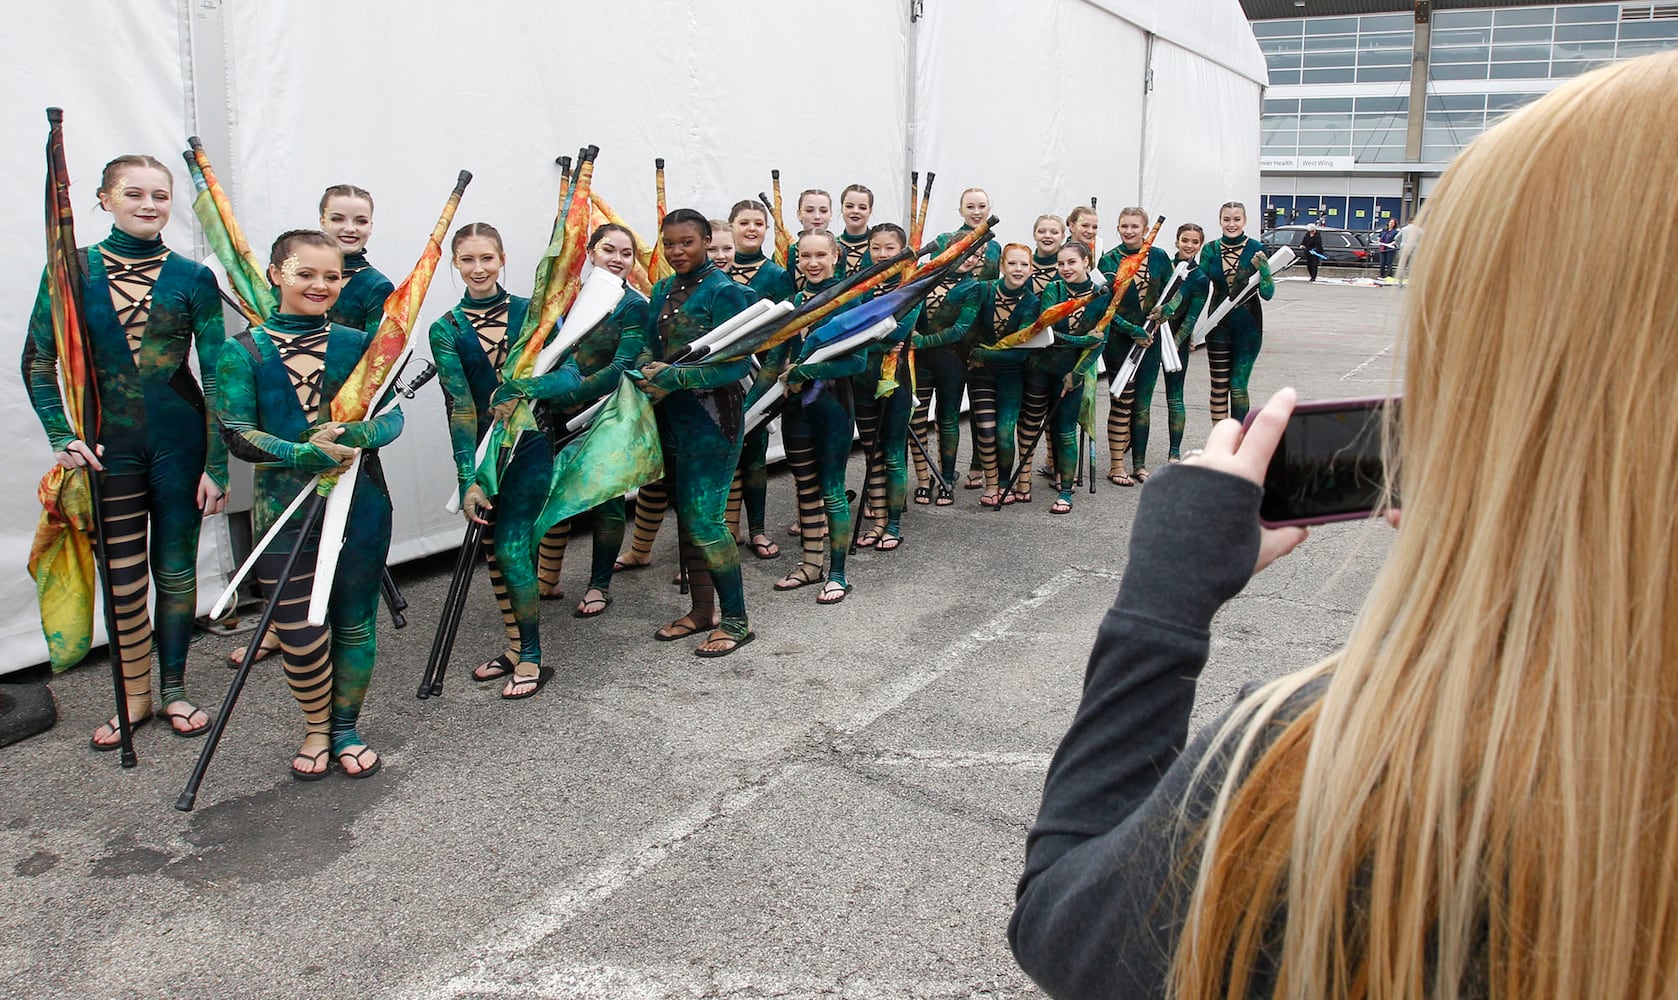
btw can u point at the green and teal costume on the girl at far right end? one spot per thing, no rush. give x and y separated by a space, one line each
1234 346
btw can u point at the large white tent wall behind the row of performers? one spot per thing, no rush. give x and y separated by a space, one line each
1046 105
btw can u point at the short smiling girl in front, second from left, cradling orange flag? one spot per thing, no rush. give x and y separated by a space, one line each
274 410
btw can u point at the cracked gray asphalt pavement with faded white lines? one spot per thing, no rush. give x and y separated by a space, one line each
840 810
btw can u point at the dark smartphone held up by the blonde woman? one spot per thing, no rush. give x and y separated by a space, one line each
1328 466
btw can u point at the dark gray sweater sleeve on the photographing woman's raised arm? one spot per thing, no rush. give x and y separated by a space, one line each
1107 880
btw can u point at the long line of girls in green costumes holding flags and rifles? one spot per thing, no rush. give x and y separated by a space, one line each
1019 330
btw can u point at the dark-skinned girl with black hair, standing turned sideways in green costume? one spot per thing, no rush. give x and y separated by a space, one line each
699 422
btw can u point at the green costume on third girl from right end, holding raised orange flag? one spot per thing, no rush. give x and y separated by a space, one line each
1130 412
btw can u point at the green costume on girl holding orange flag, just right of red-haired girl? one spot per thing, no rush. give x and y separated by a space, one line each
1078 343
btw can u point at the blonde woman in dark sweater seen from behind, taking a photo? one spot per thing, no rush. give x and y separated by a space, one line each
1474 798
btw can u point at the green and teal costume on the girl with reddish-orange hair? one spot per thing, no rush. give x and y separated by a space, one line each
996 380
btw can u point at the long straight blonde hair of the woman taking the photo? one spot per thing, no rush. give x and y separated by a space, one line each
1486 799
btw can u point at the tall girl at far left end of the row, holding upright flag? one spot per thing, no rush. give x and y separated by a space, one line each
164 472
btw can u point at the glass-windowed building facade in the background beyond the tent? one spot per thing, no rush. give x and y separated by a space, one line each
1338 112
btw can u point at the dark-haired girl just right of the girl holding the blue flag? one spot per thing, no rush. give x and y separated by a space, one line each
883 415
